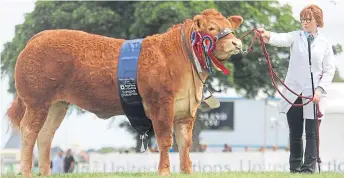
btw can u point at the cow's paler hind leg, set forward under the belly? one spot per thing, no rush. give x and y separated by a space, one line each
56 114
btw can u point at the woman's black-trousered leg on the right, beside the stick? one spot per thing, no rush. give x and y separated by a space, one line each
311 147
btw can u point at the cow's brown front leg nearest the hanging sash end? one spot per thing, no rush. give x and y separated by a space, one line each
162 119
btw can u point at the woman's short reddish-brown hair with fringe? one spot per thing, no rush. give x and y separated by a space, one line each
313 11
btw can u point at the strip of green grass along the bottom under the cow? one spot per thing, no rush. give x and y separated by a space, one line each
198 175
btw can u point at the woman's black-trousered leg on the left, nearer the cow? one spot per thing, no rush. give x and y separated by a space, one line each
295 122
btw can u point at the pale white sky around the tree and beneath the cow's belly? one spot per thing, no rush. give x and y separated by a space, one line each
85 131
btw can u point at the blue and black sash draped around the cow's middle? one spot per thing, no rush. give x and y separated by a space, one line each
127 87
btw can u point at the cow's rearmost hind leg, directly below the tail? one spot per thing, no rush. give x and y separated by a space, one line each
30 126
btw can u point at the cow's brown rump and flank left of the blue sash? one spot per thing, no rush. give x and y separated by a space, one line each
75 66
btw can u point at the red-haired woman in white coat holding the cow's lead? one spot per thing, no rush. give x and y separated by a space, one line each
298 79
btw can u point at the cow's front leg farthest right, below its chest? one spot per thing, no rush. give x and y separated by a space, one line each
183 132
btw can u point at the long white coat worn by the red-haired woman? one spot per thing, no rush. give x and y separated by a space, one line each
298 77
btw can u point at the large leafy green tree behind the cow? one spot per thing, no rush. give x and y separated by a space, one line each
249 73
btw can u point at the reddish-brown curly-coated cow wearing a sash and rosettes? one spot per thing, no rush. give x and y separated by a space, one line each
62 67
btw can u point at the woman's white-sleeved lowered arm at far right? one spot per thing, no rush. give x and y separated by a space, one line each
329 68
